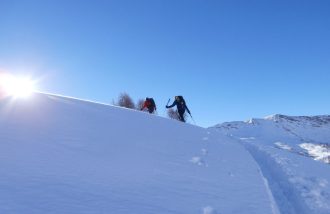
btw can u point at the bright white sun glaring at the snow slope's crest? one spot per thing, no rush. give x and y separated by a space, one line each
18 87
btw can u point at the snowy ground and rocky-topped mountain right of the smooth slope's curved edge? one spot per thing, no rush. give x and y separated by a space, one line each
284 147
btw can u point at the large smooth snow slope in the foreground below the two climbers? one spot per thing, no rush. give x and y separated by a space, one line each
63 155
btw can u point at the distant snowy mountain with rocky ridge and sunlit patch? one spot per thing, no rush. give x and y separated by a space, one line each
304 135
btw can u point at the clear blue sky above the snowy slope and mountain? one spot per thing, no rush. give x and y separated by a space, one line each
230 59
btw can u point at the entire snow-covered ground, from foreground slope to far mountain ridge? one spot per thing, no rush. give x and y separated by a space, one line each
64 155
